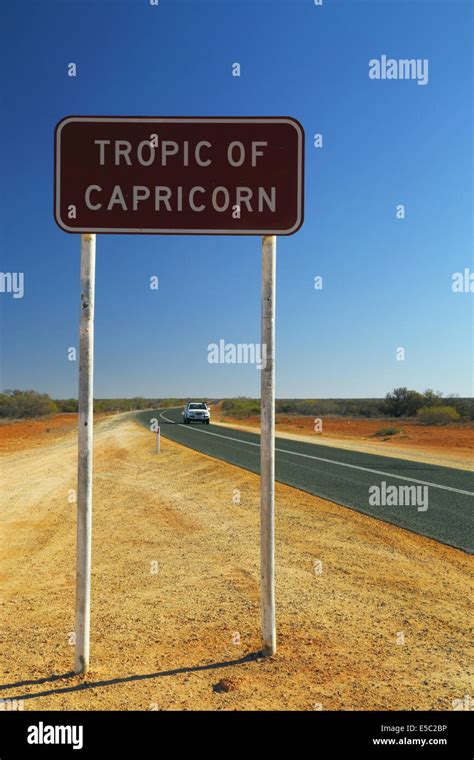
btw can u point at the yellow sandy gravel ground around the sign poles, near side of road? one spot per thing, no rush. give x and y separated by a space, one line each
369 616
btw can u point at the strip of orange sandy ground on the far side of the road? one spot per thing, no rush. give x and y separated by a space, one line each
449 446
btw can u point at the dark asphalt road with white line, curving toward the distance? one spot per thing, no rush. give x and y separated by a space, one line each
441 508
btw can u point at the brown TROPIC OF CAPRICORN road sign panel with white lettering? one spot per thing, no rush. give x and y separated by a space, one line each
173 175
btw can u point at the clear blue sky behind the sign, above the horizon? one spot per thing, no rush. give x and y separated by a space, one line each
386 281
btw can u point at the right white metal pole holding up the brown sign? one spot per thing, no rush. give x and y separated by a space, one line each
267 447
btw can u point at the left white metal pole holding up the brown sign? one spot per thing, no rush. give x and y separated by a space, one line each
84 472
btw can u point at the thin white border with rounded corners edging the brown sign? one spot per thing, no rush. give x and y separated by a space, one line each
197 119
